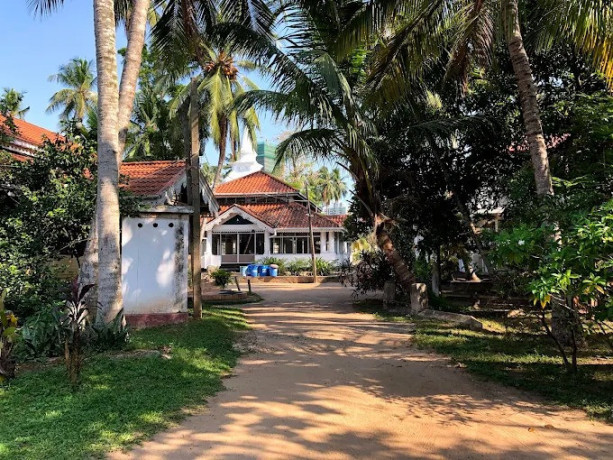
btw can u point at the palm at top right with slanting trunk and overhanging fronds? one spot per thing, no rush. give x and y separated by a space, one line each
408 31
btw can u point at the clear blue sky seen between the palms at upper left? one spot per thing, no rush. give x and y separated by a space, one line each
34 47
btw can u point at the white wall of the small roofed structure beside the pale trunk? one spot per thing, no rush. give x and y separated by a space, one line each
154 263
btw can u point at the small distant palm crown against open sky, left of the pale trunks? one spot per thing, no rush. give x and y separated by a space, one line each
78 96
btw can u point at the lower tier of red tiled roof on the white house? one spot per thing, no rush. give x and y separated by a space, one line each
283 215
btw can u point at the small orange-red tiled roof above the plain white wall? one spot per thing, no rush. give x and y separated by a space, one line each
150 178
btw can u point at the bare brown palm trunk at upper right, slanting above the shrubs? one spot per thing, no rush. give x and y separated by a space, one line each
528 100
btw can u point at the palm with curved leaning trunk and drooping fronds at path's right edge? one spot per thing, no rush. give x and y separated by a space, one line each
317 92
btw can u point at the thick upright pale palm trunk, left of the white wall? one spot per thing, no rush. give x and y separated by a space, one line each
107 212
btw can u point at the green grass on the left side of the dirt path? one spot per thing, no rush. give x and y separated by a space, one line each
121 400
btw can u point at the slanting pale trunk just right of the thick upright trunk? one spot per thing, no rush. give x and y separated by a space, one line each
131 68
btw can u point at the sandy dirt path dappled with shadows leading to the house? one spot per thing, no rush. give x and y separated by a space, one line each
325 382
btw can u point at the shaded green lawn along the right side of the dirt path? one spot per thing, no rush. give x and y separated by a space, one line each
515 352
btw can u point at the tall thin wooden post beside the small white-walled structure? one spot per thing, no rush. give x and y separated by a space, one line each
193 185
